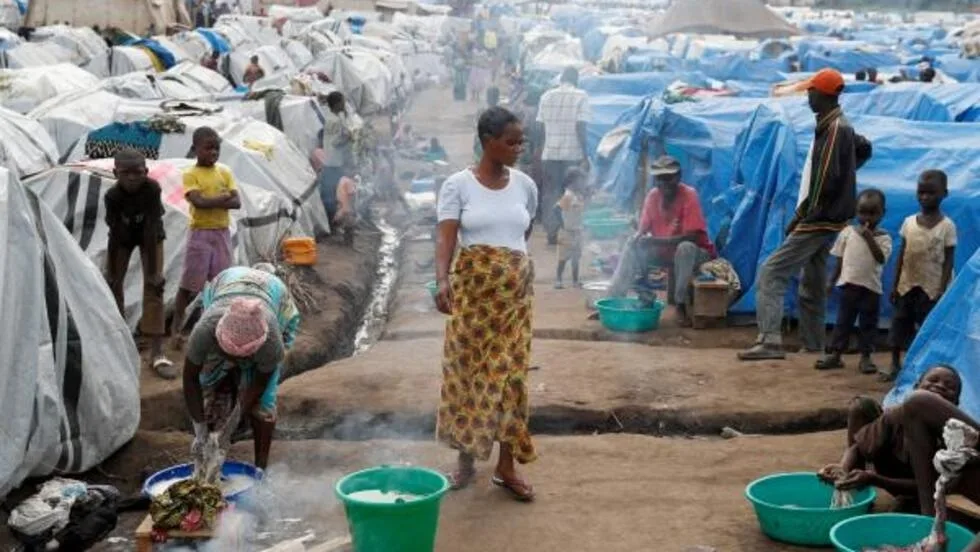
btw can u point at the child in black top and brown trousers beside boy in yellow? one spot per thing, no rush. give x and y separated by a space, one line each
134 214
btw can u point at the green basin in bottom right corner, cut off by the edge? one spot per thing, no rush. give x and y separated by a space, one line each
858 533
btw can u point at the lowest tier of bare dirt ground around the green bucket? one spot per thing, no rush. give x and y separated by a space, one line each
602 493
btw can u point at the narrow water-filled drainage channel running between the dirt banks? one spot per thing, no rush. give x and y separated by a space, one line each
376 314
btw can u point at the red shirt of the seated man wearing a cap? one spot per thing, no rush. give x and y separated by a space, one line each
682 217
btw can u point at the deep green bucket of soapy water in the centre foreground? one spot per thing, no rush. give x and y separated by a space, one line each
408 526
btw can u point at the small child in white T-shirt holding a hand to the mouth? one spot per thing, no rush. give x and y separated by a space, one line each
863 250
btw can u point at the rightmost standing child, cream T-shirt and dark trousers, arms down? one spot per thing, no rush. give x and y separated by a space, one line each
925 265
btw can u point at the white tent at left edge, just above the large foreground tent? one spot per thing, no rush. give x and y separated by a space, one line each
25 147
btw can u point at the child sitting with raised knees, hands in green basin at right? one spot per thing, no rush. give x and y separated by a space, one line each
881 439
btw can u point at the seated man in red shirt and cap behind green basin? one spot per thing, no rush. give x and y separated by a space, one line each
672 234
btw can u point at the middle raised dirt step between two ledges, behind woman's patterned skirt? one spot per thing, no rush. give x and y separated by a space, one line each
580 386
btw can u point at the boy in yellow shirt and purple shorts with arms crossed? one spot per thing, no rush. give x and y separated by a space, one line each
210 189
